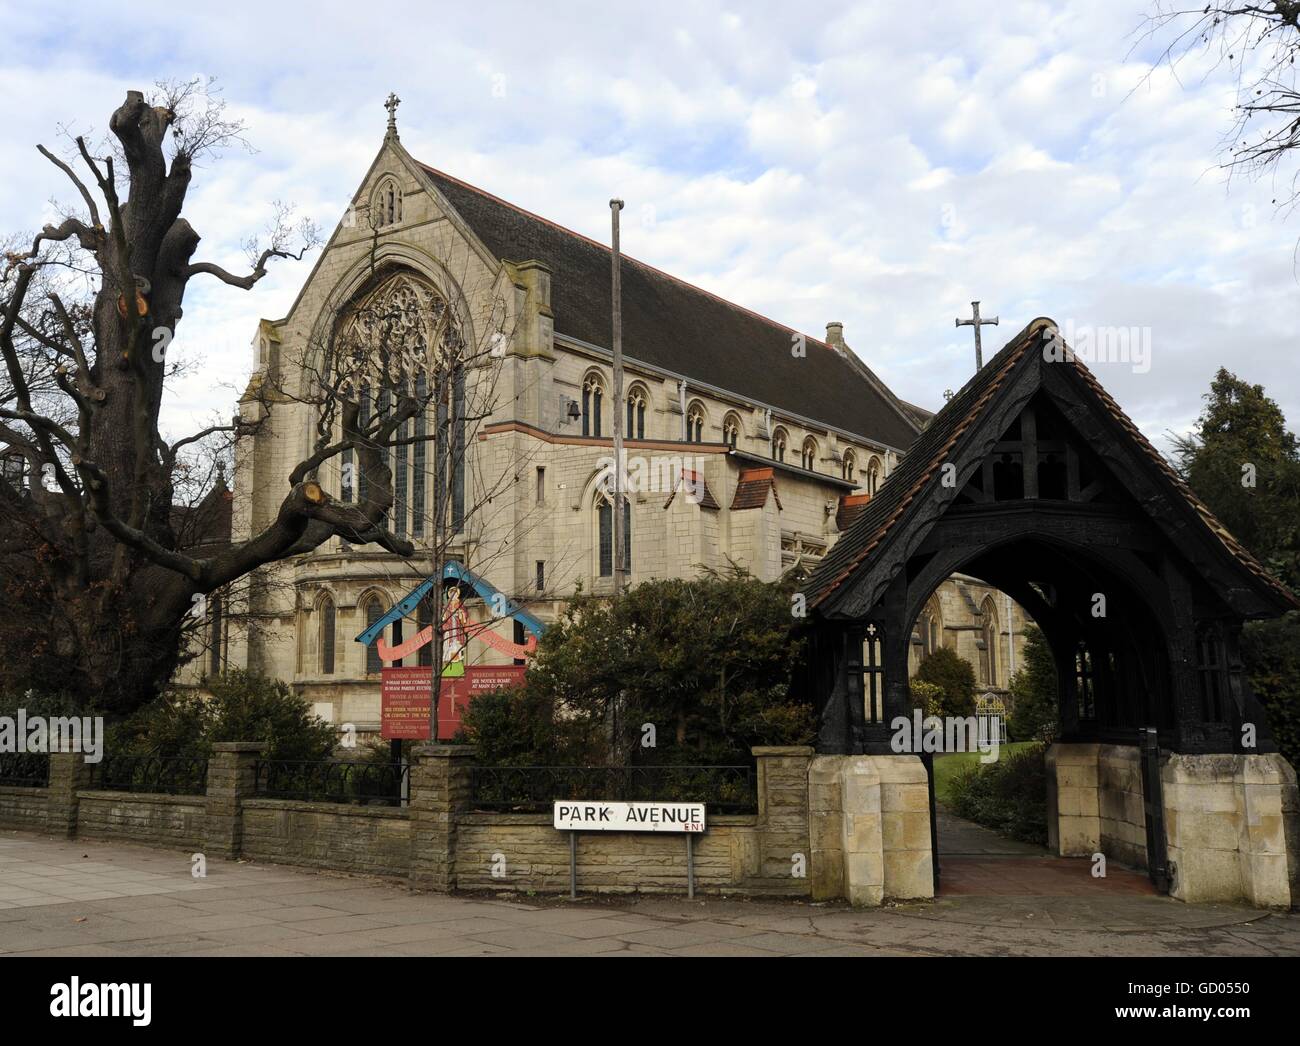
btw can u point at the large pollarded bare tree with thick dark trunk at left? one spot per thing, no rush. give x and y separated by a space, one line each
96 583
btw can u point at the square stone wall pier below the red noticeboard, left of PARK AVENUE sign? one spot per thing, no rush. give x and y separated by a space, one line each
440 793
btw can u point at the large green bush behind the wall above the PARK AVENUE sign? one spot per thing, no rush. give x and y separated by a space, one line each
701 667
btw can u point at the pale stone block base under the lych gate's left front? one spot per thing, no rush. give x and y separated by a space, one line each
869 822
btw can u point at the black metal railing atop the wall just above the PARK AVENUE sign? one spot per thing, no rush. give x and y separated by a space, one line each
534 789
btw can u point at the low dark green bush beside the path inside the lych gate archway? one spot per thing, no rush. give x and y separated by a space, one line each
1009 797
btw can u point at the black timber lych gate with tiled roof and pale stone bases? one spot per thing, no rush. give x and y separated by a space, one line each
1033 480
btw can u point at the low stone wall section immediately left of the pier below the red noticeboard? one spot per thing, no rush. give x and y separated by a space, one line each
367 840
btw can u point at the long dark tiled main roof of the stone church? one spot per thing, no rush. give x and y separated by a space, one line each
679 328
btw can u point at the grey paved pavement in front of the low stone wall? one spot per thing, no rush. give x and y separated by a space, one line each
76 897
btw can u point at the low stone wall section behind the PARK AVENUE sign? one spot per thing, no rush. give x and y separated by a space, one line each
523 852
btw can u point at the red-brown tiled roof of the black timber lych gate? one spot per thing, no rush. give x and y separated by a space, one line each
938 442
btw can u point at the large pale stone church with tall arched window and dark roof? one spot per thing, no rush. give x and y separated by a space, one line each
748 444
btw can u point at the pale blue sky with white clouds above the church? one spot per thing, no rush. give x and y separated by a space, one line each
882 166
